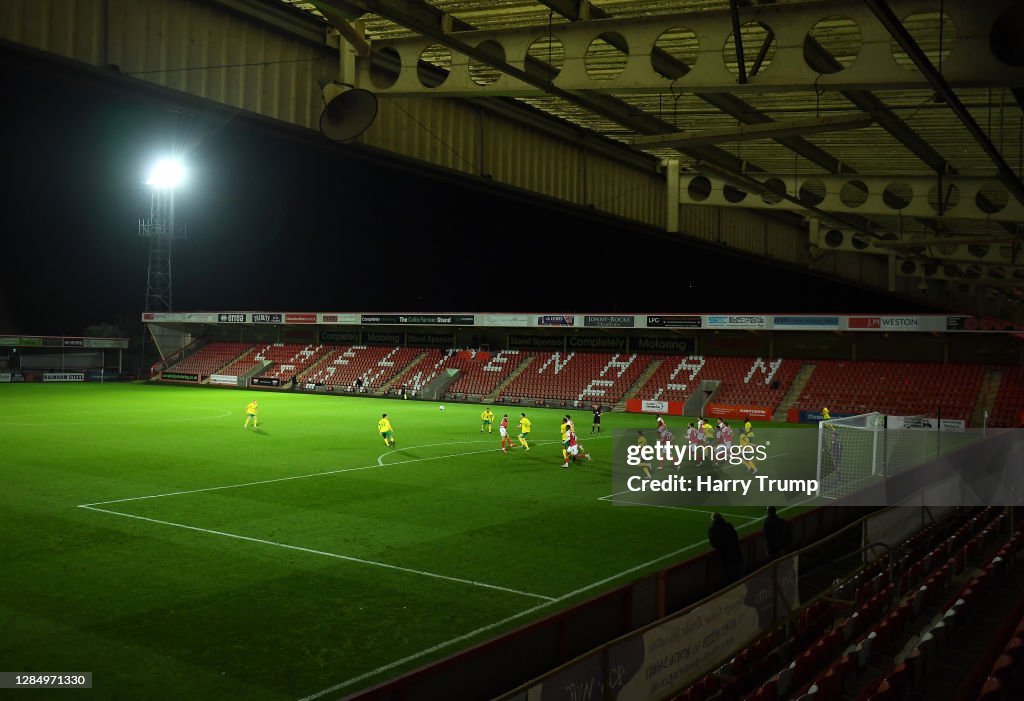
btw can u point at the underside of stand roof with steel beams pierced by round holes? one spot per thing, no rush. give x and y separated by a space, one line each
937 163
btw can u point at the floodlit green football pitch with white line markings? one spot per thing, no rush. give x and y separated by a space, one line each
152 541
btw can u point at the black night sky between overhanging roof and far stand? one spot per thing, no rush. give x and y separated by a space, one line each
283 224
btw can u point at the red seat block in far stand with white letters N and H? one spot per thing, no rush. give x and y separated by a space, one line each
583 379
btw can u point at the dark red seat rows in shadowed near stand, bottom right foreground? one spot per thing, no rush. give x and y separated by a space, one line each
879 636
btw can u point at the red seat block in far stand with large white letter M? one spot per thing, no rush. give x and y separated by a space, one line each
745 381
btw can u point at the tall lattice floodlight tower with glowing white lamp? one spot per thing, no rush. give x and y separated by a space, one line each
161 230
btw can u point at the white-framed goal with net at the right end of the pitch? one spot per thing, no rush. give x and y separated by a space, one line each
855 452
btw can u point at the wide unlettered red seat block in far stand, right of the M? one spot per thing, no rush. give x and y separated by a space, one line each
895 388
